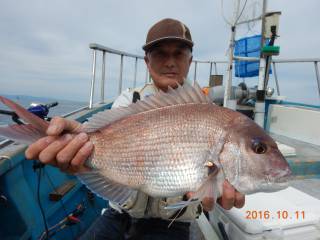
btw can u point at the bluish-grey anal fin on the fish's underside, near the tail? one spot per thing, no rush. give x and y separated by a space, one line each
104 187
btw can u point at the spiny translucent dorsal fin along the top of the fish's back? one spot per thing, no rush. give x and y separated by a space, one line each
181 95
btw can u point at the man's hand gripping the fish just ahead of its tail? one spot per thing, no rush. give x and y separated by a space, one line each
67 151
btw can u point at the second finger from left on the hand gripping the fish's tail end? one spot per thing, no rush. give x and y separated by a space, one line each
48 155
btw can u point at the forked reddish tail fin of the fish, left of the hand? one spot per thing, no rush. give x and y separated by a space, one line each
25 133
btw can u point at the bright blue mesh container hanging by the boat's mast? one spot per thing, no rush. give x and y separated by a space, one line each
247 47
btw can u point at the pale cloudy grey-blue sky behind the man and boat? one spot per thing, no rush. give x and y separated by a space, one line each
45 44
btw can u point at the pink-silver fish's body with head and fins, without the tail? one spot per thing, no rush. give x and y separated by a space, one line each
176 142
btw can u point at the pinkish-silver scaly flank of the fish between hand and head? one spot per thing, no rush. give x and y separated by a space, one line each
170 140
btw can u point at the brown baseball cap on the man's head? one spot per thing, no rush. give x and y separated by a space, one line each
168 29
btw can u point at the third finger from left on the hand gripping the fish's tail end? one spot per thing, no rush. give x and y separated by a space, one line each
66 155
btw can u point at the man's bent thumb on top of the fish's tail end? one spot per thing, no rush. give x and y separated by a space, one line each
59 124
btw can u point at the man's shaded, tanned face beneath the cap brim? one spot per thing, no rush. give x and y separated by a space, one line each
168 63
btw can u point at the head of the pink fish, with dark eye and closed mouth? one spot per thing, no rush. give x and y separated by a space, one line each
251 160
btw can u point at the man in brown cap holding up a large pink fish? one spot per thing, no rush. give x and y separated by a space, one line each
168 55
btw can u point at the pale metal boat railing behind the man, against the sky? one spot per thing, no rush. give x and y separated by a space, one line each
103 50
